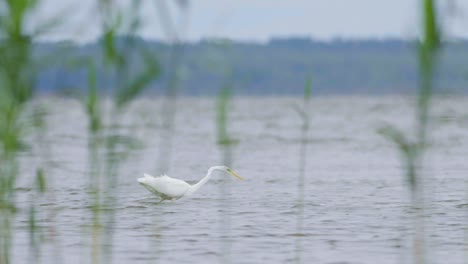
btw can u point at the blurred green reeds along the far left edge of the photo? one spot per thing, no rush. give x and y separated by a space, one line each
16 88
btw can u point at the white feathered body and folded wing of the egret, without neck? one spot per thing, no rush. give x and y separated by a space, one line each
165 185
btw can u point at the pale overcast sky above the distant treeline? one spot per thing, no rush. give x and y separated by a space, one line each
258 20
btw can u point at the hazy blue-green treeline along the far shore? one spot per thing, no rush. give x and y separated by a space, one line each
278 67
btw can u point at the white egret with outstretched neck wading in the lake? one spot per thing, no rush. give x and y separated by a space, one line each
168 188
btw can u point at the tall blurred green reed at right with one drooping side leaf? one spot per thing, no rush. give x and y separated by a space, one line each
412 152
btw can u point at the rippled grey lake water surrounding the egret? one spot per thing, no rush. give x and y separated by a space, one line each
356 203
